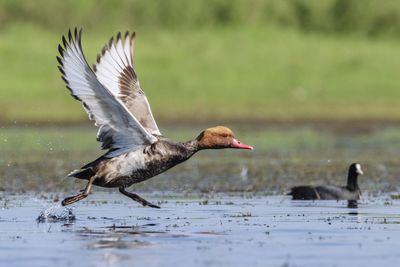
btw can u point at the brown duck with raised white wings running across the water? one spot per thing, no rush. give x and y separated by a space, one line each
111 95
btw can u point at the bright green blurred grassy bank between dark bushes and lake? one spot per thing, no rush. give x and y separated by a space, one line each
230 73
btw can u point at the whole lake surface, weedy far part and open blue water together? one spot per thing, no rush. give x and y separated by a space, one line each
220 208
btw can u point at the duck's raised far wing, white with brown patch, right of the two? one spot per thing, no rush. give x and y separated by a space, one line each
114 69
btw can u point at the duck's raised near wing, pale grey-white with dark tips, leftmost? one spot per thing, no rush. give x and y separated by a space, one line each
118 131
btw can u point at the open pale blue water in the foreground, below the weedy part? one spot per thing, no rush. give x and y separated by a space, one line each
110 230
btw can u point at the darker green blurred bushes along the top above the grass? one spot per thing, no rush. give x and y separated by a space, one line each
369 17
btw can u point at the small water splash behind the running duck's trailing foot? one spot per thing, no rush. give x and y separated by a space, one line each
56 213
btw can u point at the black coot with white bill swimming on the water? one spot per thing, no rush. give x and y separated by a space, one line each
329 192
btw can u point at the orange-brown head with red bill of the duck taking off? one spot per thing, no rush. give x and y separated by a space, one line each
219 137
